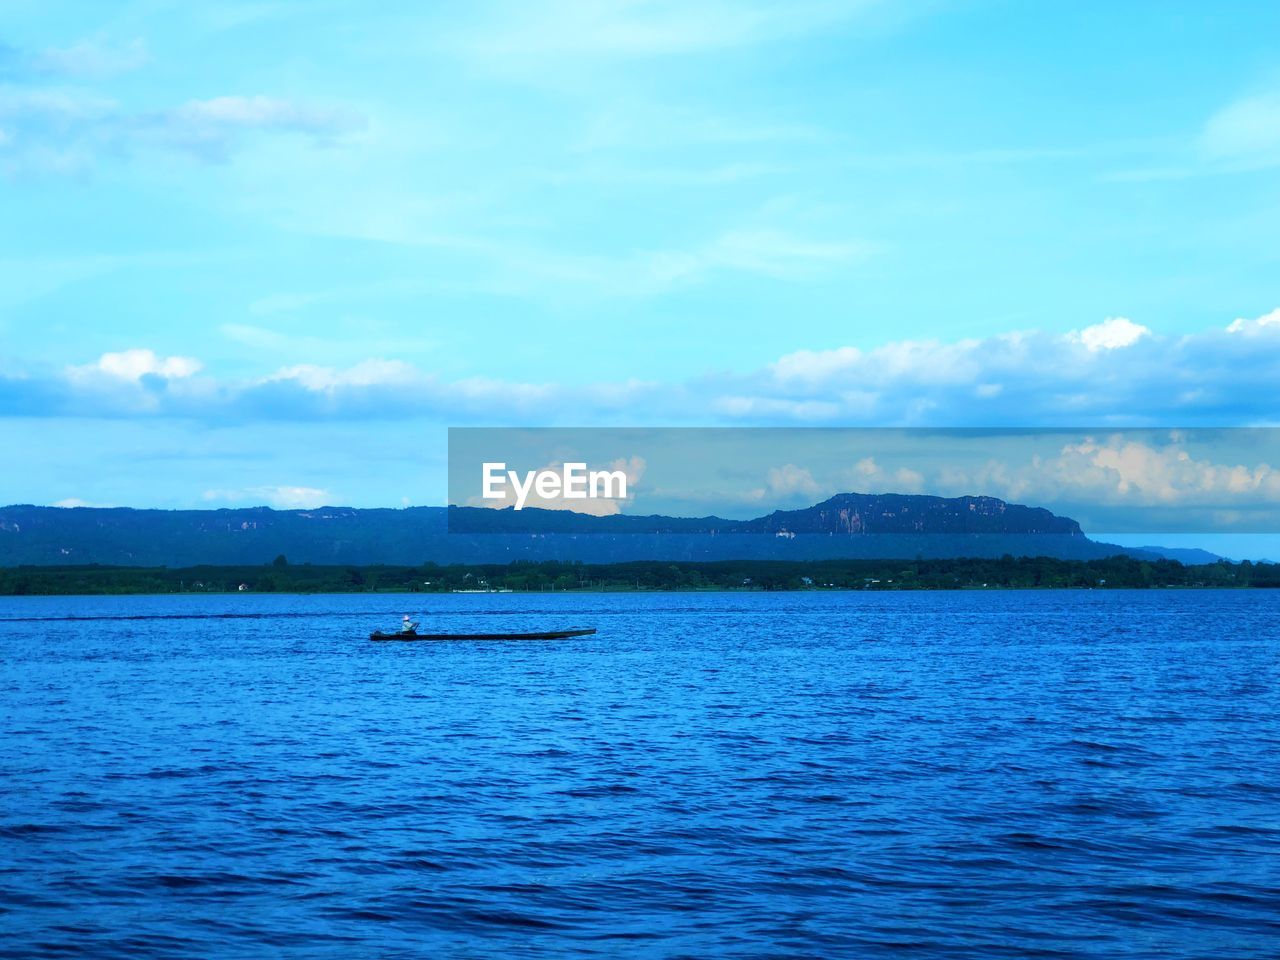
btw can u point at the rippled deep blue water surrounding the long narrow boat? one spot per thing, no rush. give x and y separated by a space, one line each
971 775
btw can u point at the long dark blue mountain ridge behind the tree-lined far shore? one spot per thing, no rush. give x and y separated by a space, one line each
844 527
